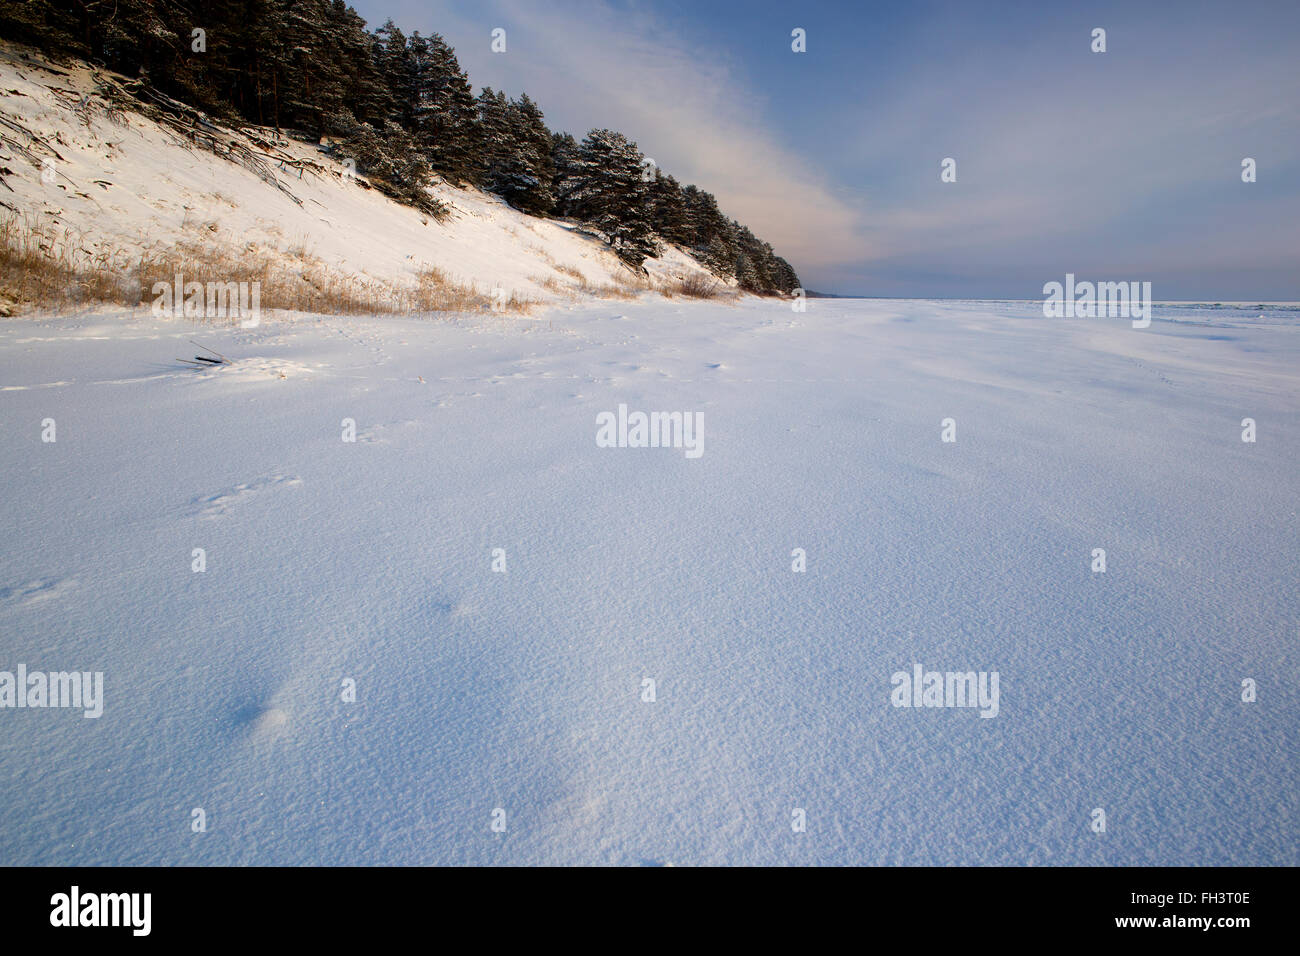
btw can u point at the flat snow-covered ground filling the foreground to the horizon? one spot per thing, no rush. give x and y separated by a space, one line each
523 690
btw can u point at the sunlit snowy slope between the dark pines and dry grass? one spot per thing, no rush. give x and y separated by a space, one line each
127 187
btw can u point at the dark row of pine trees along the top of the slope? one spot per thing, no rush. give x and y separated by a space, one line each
405 111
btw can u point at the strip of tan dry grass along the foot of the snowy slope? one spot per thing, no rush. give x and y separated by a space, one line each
59 272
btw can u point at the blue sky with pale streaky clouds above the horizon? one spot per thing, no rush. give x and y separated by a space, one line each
1112 166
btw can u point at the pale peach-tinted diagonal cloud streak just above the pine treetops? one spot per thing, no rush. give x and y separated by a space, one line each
688 107
